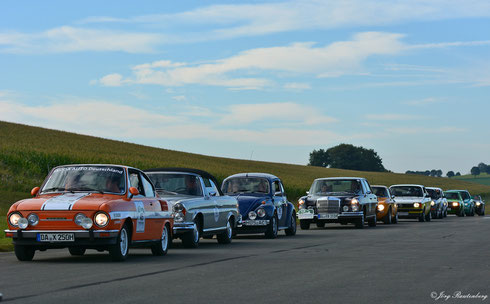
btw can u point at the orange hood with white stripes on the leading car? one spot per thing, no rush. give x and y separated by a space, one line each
66 201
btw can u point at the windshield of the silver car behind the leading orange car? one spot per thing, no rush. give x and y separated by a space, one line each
176 183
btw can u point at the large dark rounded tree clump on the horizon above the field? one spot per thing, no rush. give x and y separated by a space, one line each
347 156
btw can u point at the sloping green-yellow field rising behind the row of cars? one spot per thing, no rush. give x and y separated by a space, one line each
28 153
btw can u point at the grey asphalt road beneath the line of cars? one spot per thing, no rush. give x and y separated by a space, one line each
402 263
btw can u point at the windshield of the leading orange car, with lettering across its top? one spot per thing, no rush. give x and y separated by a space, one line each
102 179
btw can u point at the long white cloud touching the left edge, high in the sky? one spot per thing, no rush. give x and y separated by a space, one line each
67 39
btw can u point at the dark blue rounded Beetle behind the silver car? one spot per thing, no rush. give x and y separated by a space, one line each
262 203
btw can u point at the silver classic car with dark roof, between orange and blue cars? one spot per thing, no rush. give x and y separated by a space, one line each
199 207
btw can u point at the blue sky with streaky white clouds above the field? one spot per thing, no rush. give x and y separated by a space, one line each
261 80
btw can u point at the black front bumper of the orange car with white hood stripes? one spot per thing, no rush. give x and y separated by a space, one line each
82 238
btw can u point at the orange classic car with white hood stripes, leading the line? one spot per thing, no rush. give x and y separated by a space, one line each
102 207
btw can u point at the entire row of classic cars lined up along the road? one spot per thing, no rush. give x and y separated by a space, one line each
113 207
